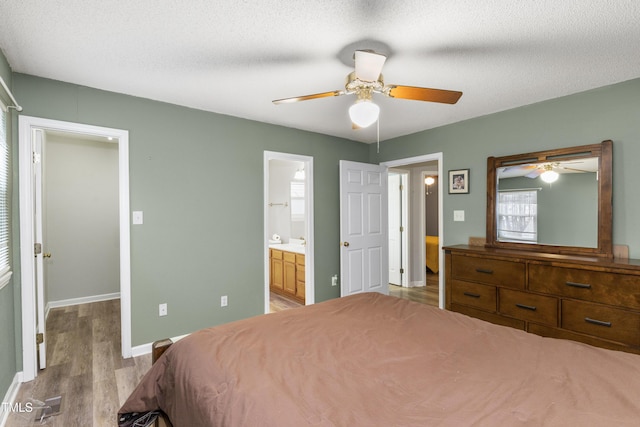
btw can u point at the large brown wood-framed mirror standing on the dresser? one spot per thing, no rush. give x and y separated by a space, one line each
555 201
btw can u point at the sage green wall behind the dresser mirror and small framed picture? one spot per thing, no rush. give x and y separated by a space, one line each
611 112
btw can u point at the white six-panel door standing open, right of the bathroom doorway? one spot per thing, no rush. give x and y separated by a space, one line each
364 243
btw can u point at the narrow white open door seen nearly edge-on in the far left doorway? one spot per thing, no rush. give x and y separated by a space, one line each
38 144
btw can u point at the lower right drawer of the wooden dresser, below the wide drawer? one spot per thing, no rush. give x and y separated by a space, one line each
601 321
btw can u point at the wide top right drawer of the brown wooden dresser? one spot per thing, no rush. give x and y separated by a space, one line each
607 288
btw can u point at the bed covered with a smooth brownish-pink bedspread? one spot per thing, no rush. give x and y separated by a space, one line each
375 360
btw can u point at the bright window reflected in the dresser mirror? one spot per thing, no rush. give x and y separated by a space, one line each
518 216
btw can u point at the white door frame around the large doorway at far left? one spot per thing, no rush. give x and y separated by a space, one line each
121 137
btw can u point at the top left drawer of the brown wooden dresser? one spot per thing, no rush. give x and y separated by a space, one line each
489 271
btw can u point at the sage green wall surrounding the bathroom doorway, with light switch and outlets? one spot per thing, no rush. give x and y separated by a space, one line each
198 178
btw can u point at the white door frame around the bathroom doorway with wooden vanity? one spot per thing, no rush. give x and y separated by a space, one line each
309 288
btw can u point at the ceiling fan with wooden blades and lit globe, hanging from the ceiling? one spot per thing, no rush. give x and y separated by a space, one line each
367 80
